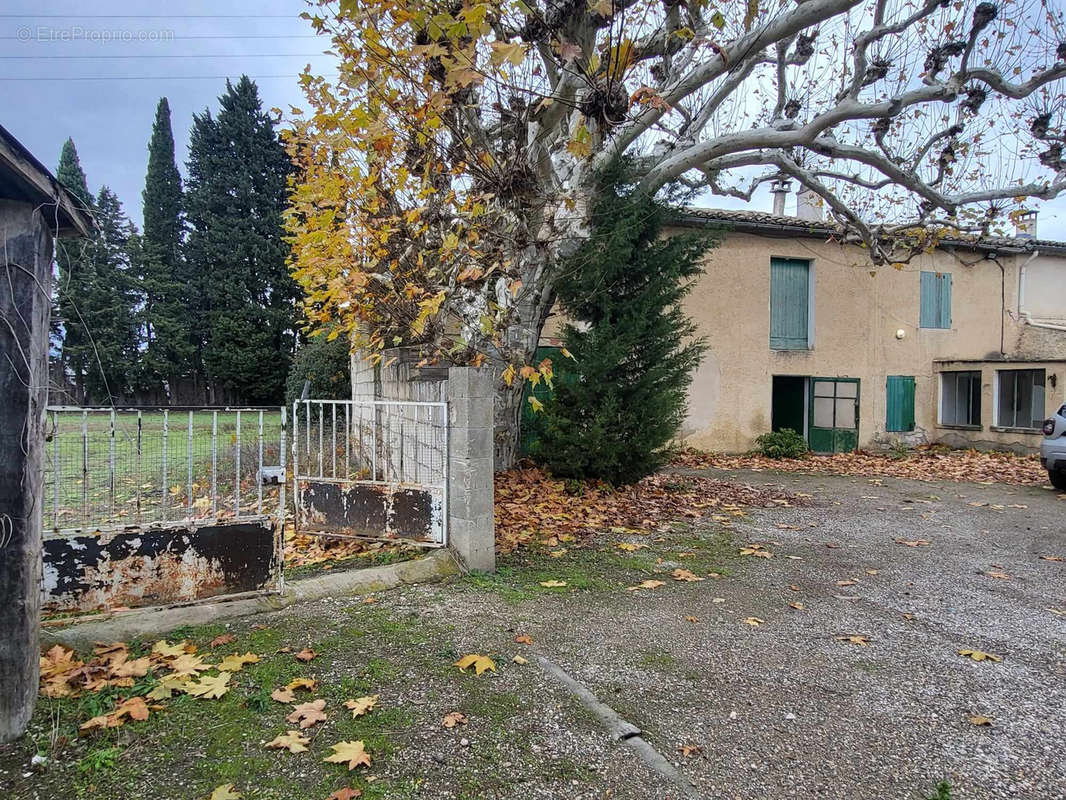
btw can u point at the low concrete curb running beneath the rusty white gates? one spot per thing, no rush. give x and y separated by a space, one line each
437 566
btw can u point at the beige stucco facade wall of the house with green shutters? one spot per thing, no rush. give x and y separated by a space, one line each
858 314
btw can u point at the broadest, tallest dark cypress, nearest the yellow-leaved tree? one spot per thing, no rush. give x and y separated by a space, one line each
237 193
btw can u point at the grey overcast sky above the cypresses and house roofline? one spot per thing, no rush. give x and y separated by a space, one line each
98 75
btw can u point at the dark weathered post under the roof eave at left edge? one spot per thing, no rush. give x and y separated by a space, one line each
25 308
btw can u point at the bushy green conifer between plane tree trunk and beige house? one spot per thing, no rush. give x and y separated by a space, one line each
619 406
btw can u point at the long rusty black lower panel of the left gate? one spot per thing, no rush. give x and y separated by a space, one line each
159 566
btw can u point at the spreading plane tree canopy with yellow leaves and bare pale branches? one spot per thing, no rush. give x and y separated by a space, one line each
451 162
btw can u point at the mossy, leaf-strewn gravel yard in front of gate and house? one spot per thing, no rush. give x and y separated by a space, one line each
829 670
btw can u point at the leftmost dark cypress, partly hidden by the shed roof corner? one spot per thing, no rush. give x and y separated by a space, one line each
74 280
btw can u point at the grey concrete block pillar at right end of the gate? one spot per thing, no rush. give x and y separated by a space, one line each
472 531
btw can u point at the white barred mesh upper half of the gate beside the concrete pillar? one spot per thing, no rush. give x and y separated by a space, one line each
396 442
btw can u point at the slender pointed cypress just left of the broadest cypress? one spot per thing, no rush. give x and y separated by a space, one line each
165 317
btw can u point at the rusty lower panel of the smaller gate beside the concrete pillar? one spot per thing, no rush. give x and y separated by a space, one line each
378 510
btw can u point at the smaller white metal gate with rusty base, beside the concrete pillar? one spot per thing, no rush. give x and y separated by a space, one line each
372 470
